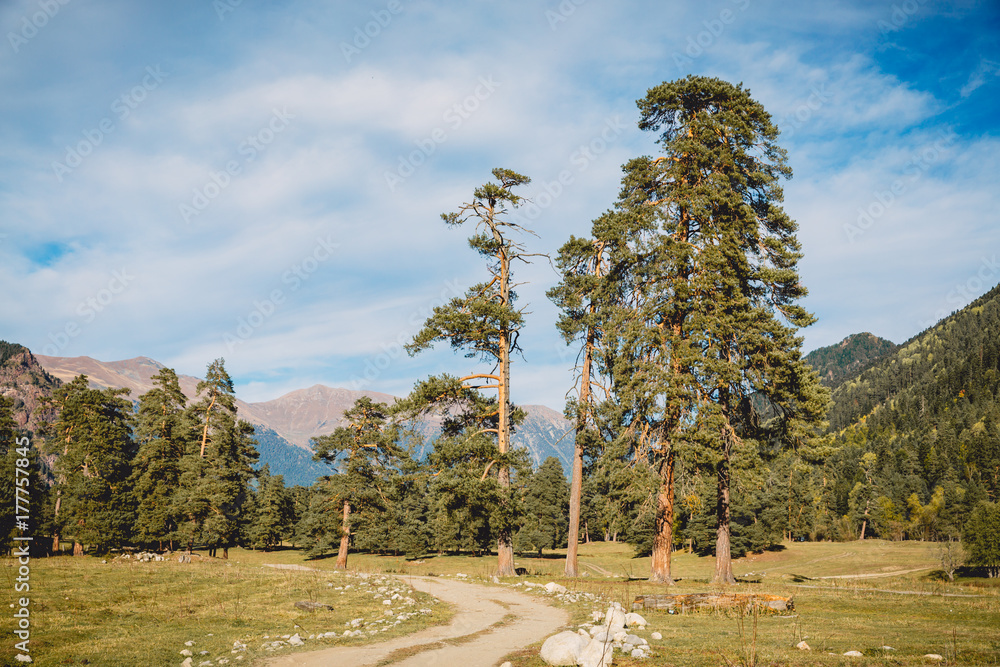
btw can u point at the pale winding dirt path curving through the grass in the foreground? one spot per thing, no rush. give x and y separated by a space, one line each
477 608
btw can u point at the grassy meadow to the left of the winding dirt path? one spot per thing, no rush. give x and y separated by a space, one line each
118 613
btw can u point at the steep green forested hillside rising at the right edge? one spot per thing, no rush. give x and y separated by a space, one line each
930 410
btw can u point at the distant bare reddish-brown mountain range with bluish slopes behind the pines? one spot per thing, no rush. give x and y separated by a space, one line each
285 425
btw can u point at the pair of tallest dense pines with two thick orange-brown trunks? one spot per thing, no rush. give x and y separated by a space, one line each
707 282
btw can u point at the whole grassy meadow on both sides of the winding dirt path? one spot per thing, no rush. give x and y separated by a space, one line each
127 613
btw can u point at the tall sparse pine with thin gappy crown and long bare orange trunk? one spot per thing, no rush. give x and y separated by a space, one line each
485 323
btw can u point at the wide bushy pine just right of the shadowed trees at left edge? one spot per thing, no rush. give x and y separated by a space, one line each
92 439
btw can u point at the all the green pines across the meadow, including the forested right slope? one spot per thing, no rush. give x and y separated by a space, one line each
697 422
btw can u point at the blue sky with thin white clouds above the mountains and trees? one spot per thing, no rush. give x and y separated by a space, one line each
262 181
